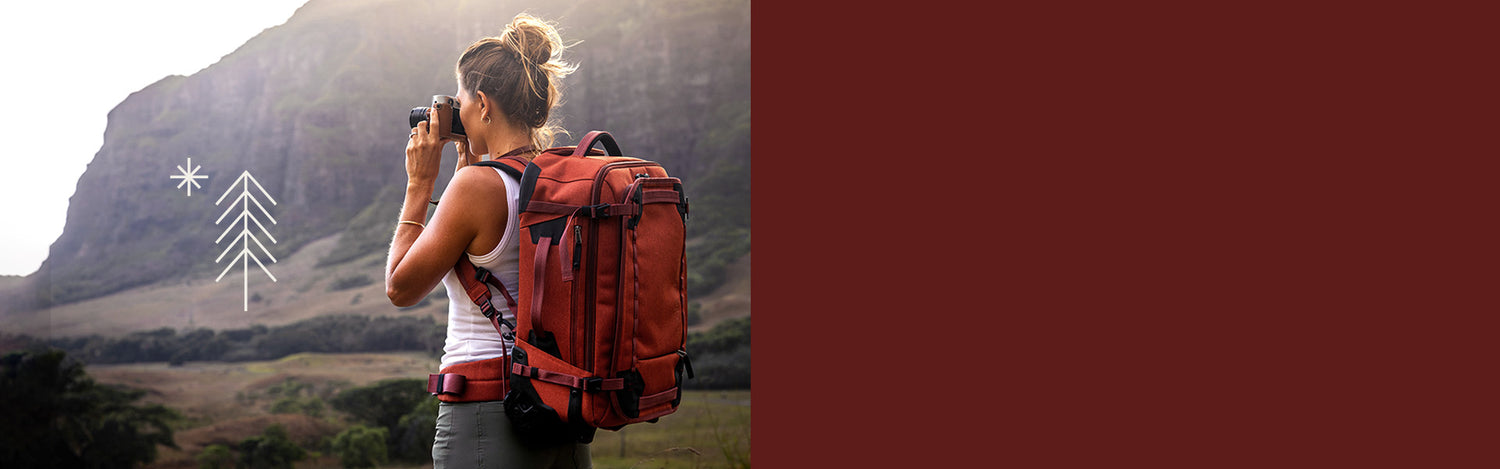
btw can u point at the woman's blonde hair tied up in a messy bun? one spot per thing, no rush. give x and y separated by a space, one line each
523 71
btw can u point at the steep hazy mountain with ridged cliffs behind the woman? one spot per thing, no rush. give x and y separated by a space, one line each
317 110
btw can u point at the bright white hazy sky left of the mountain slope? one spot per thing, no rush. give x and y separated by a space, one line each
67 65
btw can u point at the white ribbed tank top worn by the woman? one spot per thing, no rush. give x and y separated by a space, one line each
470 335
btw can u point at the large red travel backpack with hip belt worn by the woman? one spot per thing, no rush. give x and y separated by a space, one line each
602 317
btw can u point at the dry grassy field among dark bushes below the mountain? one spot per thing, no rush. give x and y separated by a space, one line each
227 402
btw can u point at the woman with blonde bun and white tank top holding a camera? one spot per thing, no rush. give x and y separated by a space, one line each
508 89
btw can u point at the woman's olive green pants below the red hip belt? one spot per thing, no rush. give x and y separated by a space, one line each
476 435
